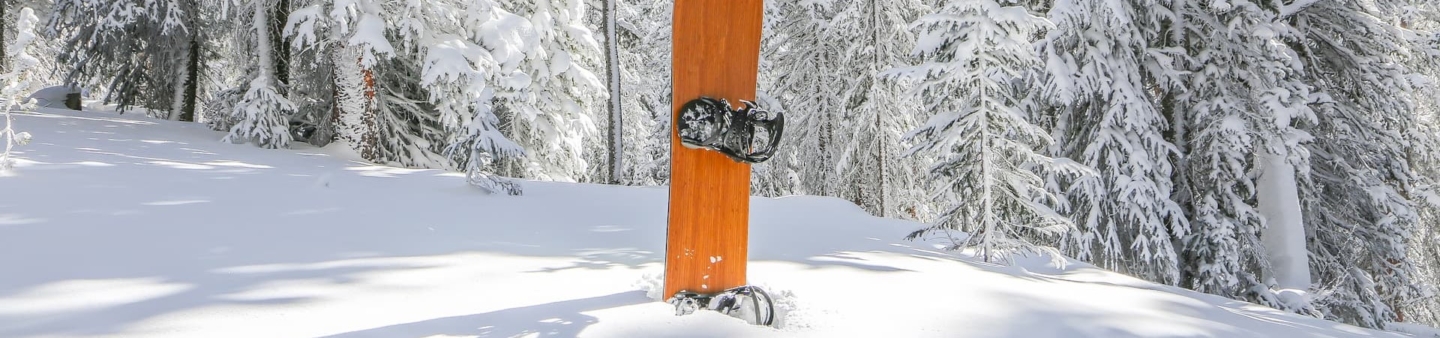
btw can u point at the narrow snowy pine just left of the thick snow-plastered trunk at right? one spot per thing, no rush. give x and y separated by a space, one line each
1223 221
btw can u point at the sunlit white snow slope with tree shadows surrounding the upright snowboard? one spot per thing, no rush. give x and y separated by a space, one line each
123 227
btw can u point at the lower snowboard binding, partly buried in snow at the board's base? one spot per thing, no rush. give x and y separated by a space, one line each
732 303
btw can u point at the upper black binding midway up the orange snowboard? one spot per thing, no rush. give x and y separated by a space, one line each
714 124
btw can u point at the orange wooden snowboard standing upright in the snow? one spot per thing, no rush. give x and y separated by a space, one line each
716 54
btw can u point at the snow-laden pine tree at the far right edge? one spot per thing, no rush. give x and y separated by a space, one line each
1362 202
